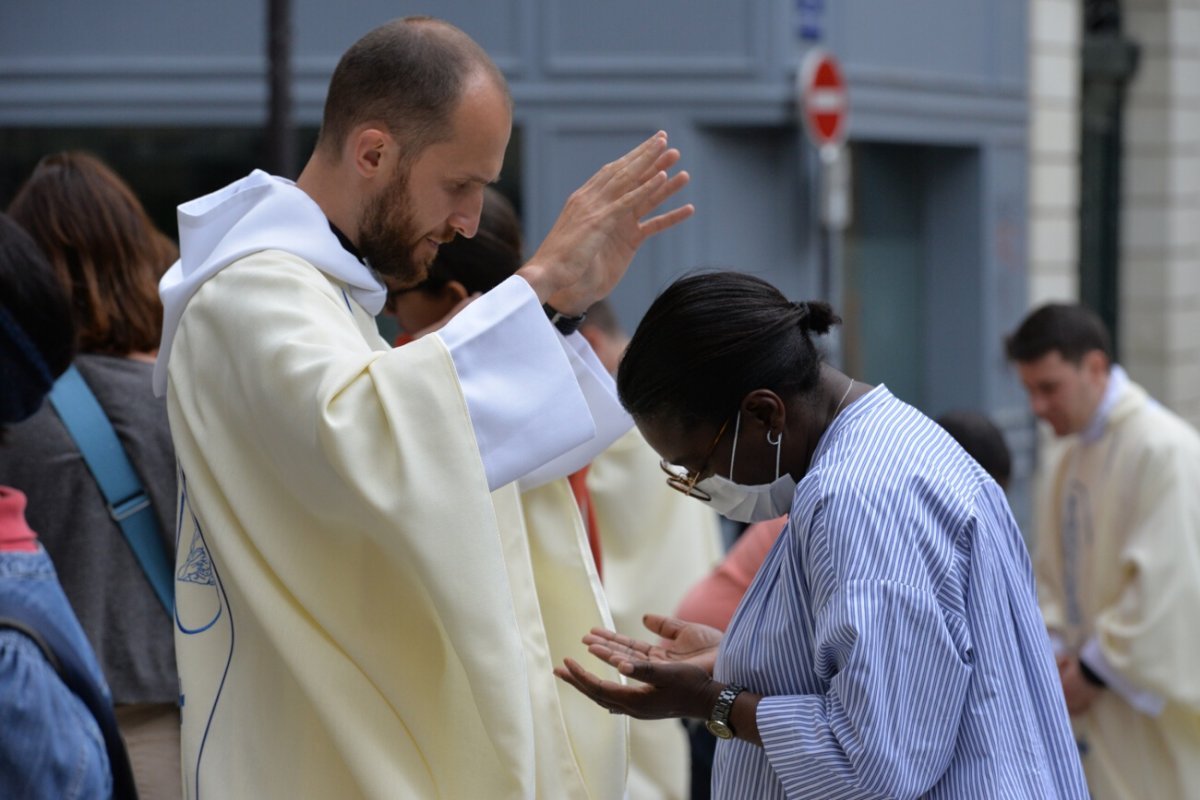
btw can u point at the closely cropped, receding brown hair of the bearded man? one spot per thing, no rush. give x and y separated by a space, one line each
407 74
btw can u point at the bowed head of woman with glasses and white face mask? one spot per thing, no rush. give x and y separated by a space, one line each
734 368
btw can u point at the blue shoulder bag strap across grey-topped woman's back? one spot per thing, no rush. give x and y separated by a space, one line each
128 502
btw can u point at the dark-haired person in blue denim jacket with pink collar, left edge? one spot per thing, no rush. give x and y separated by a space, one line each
58 737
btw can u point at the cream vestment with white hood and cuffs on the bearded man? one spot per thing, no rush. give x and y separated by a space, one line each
358 613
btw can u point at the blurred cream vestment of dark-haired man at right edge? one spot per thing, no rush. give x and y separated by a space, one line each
1119 581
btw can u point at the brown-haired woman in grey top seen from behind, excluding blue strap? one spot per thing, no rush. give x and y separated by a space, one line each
109 255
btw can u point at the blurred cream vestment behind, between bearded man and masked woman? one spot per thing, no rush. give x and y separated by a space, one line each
656 544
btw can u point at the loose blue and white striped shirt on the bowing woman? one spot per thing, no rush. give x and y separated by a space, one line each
895 633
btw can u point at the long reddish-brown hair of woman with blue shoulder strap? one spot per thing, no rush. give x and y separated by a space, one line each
104 248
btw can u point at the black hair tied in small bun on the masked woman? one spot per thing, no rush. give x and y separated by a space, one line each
713 338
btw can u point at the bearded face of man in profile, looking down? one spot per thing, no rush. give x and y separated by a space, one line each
439 194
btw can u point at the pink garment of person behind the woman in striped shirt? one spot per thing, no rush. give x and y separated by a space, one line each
713 600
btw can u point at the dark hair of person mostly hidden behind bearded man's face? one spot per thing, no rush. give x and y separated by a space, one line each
485 261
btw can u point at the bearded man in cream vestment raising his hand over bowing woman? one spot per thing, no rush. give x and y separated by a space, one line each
363 610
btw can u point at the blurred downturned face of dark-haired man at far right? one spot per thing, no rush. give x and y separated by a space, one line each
1065 394
